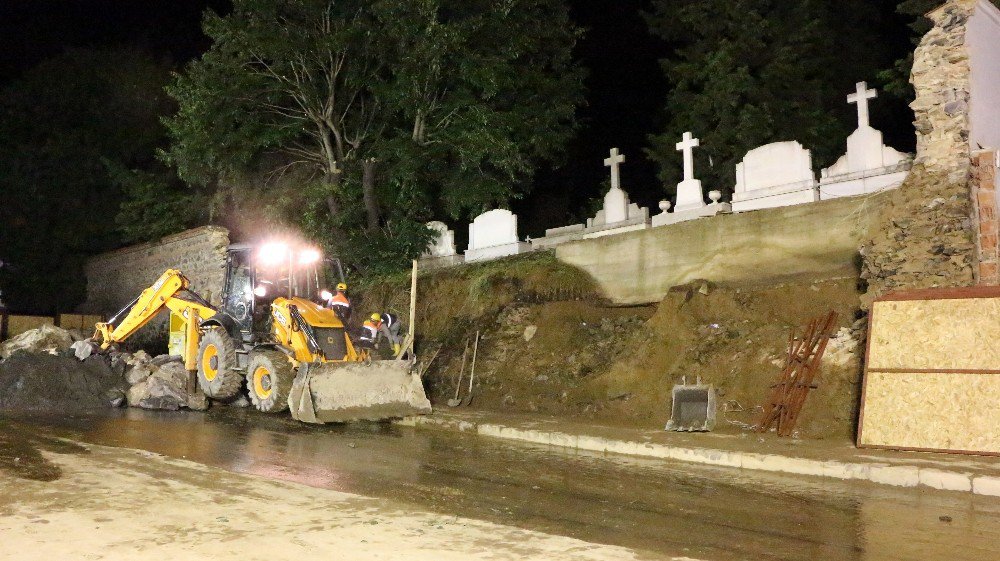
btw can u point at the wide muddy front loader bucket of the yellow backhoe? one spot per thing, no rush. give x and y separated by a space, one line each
339 392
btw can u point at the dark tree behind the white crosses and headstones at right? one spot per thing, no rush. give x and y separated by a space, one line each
747 72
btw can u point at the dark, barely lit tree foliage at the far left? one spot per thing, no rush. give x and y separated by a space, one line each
61 125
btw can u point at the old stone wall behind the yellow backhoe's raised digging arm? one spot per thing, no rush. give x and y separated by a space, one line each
114 279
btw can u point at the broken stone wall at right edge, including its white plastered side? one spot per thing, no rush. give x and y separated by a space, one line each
927 232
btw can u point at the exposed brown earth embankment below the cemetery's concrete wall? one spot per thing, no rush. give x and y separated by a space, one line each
551 344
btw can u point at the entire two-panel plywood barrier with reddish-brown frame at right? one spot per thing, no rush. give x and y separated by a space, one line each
932 375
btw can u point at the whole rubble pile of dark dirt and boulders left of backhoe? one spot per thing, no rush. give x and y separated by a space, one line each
39 372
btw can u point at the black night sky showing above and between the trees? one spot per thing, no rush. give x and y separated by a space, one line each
625 87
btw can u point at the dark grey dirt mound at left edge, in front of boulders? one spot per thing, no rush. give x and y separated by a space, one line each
40 381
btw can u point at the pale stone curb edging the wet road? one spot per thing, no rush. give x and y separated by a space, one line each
875 472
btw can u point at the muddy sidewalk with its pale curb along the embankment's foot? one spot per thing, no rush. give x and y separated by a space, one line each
829 458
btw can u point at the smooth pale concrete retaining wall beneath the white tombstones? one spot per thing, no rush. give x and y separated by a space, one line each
819 240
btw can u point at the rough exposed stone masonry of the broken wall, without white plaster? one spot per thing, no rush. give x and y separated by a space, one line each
924 236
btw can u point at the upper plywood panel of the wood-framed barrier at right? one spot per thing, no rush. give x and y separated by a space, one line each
935 334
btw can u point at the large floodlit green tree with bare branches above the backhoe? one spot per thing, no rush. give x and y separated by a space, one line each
381 113
